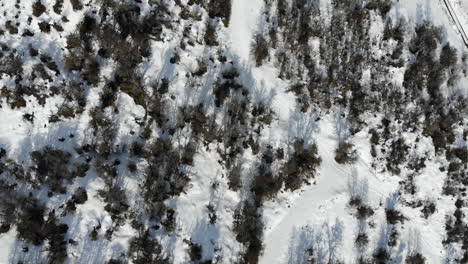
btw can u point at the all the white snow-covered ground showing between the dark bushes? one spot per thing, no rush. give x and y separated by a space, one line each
317 216
